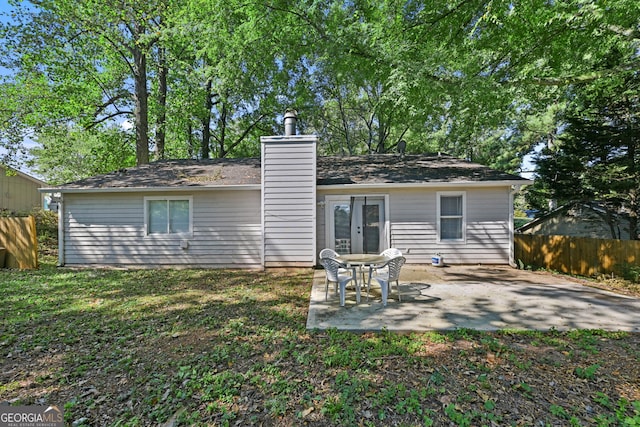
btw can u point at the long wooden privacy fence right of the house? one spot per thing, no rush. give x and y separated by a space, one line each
576 255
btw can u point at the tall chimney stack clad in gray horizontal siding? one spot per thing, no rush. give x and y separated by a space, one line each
288 200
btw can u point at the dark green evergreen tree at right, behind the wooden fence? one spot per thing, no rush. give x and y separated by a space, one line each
597 156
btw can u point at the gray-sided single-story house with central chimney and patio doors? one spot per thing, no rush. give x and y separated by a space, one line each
283 208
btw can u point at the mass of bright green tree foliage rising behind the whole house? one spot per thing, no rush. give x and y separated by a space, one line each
484 80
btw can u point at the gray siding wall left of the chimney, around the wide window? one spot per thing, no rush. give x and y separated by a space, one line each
108 228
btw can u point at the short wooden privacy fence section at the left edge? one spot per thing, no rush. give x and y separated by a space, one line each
20 242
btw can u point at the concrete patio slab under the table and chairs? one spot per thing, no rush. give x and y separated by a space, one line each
476 297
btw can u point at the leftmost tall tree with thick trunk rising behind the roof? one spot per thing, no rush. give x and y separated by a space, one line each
96 45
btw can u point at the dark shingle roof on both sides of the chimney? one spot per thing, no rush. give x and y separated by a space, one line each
331 170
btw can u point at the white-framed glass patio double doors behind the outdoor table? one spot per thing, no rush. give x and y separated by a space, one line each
357 224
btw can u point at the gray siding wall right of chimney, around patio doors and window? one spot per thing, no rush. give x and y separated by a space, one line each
413 225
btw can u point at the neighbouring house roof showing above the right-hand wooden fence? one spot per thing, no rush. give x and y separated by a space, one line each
581 219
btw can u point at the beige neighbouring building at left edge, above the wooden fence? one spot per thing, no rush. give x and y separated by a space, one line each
19 192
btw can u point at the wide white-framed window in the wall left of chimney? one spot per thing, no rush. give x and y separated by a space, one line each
168 215
